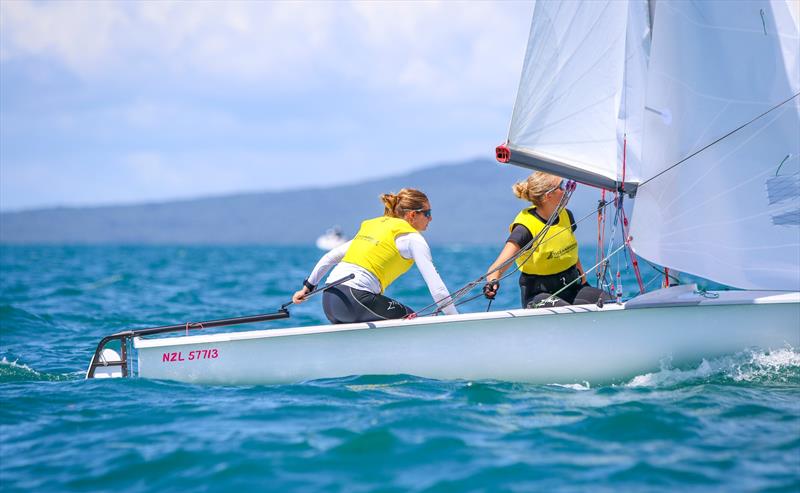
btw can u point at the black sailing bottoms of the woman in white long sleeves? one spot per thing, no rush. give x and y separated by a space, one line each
345 305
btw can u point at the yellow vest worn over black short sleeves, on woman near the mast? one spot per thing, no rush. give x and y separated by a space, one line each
557 251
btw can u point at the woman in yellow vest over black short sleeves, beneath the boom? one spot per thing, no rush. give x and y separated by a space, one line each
555 263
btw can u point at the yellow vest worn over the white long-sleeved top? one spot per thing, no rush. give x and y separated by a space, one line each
374 249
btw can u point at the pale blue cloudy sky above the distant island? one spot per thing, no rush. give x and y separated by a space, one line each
127 102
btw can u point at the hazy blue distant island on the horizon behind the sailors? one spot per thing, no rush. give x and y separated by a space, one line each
472 204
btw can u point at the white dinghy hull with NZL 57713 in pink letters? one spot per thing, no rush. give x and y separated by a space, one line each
548 345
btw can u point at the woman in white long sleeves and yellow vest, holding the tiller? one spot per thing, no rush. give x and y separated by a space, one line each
383 249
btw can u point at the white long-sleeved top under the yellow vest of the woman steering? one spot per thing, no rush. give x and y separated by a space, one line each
412 246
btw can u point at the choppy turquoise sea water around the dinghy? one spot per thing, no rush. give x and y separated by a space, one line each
731 424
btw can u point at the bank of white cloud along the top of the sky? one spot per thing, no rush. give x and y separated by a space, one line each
425 48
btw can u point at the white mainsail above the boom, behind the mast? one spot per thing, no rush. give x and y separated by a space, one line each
573 109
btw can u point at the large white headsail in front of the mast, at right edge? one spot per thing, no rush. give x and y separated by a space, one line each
730 212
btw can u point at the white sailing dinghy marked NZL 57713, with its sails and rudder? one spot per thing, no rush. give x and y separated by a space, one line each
690 107
